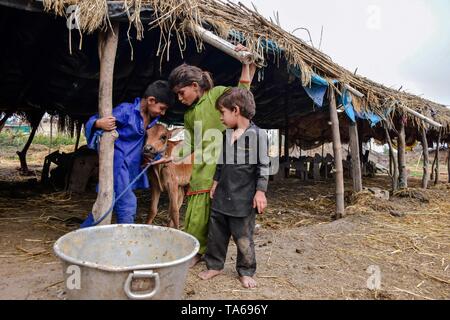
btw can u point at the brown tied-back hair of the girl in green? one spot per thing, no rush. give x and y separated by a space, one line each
185 75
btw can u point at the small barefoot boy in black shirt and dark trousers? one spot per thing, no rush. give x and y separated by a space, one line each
239 188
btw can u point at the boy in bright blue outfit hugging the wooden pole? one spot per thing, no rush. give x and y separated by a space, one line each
130 120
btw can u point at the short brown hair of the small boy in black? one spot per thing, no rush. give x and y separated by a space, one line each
238 97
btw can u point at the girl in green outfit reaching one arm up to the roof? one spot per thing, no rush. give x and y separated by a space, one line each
195 89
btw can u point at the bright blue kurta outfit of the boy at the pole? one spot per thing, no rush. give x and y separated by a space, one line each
128 157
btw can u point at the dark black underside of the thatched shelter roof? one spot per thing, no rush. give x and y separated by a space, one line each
37 71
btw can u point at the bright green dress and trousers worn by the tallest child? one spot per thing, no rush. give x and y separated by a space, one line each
202 115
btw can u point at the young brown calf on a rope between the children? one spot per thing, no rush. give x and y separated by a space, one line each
171 177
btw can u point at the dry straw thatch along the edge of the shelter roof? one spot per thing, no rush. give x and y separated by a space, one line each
172 17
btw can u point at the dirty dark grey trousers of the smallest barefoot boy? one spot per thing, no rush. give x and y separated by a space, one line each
221 228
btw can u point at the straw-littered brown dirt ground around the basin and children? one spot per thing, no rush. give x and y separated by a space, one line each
301 252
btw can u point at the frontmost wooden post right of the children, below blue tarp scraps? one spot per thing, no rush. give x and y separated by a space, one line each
337 148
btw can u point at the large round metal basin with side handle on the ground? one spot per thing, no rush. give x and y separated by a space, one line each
140 262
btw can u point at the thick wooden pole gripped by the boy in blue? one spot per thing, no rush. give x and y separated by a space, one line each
107 49
